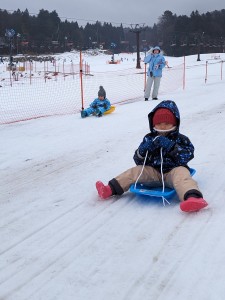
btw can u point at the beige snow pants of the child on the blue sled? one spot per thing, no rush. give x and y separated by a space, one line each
178 178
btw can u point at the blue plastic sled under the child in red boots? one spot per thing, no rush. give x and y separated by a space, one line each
155 192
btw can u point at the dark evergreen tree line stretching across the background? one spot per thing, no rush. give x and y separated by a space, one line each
46 33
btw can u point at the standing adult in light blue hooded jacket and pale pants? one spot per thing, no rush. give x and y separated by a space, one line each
156 63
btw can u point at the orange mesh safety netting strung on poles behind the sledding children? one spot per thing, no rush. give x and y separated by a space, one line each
57 91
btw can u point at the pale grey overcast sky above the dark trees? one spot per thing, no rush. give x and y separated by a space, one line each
125 11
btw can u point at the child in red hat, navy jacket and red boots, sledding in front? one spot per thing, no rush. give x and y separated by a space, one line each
164 148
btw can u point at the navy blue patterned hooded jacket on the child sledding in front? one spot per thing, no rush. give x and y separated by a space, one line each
181 152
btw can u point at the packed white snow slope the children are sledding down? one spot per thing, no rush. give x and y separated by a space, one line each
60 241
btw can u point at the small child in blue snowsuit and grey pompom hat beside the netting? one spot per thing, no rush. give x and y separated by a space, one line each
98 106
